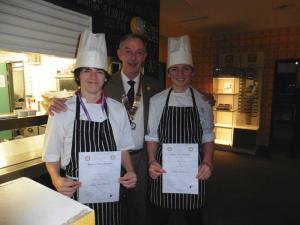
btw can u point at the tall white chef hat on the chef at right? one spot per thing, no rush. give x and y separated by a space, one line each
179 51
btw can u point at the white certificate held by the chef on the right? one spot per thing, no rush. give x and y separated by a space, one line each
181 164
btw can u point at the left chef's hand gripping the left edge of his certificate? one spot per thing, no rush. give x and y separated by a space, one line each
66 186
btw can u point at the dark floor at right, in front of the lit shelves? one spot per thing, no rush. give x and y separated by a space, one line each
252 190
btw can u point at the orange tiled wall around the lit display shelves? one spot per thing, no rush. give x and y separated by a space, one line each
283 43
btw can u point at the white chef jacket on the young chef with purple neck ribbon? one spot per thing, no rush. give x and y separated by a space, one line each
59 131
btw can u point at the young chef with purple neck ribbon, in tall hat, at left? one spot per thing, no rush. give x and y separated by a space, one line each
92 123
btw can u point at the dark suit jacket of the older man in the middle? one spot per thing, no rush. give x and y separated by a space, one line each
150 86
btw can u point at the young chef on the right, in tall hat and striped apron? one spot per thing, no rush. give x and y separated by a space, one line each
179 115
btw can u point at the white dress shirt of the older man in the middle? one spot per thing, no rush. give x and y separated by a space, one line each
138 132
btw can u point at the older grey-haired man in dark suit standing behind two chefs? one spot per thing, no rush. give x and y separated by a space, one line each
132 53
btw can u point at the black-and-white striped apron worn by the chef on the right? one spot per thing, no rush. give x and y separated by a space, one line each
178 125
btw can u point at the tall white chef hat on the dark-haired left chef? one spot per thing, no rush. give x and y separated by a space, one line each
92 51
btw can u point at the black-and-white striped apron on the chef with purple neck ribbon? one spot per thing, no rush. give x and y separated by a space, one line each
89 136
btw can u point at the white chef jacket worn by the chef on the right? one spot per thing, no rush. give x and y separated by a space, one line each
182 99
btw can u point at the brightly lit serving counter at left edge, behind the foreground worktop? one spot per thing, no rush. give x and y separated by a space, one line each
21 157
